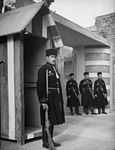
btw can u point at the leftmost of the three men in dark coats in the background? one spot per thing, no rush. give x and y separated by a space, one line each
72 94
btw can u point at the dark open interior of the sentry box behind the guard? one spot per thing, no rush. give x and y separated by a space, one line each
34 58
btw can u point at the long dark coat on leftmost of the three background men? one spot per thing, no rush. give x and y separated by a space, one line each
72 93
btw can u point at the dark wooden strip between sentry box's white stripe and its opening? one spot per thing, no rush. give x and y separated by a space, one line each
19 83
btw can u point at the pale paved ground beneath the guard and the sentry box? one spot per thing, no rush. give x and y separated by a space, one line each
91 132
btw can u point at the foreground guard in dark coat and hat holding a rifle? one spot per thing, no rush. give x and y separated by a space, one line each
52 100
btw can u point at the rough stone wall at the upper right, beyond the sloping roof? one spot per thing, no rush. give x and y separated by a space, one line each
105 26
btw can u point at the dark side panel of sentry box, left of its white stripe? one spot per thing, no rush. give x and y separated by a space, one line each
4 88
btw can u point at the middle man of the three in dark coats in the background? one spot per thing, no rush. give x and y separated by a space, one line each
85 88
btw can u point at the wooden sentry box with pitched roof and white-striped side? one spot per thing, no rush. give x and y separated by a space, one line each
25 33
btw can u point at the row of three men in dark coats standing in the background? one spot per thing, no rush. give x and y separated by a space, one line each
90 99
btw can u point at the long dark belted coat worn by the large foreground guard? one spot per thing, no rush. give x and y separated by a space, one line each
55 99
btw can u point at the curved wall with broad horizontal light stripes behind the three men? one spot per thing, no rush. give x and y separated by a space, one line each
98 60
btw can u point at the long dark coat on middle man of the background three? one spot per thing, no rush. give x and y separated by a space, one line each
86 97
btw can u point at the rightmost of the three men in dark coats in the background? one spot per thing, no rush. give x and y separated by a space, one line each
100 93
